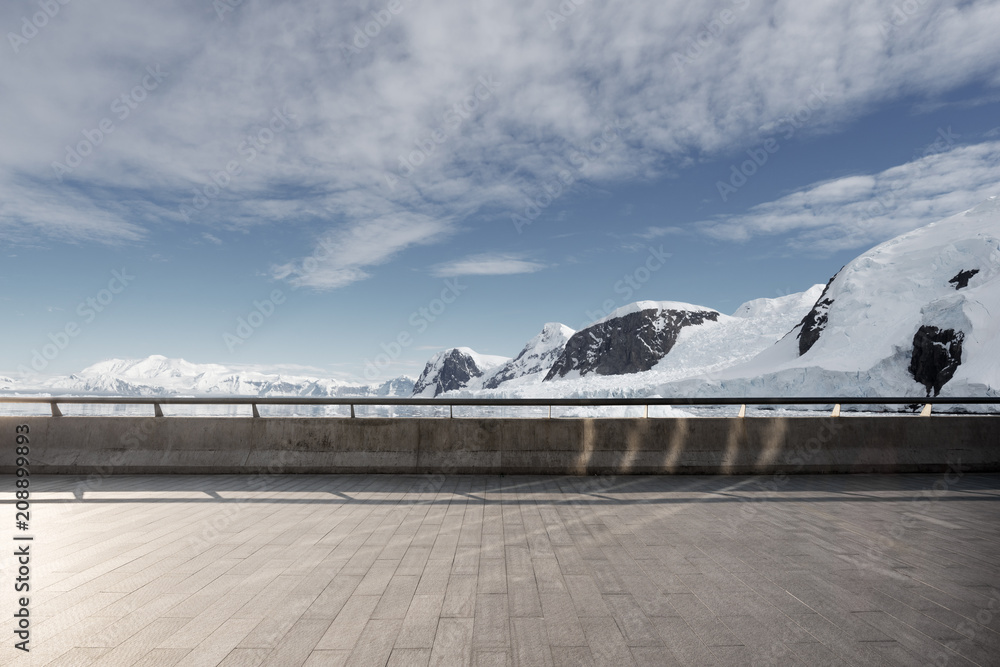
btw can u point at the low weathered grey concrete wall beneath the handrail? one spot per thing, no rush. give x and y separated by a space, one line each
193 445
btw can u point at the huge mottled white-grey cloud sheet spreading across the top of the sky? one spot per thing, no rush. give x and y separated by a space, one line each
357 117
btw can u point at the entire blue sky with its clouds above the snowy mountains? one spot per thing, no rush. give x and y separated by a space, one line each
265 161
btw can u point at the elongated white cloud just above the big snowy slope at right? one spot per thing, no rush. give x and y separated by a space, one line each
858 211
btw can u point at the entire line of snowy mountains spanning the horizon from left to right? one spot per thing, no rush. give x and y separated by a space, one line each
913 316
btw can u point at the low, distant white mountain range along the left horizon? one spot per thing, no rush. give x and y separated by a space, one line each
160 376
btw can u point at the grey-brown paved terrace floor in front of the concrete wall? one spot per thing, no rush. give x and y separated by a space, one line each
466 570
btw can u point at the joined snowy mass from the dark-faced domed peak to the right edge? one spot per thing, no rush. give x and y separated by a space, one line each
919 314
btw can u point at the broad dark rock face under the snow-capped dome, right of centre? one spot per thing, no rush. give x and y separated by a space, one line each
631 343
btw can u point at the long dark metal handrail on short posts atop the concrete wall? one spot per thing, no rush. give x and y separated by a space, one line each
835 401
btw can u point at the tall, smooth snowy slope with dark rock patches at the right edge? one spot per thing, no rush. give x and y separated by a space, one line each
917 315
